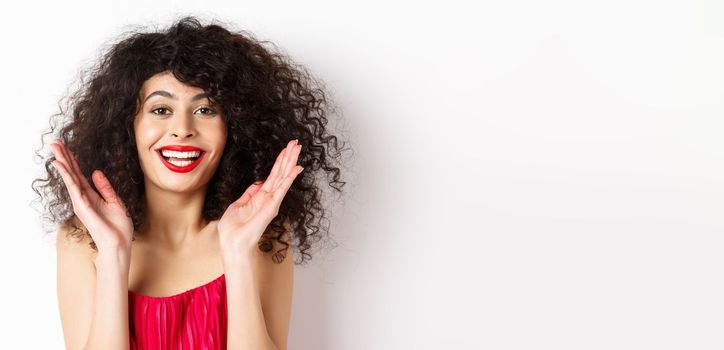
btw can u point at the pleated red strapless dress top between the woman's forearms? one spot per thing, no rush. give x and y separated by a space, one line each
194 319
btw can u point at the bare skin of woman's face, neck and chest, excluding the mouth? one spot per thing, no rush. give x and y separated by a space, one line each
182 245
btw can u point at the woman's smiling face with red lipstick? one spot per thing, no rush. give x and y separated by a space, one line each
180 136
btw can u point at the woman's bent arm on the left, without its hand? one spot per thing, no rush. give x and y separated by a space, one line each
92 318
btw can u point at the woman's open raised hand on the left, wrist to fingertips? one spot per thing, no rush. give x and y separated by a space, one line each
105 217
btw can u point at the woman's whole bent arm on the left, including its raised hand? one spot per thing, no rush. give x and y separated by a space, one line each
102 320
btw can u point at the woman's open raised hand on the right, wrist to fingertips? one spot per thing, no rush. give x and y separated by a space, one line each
244 221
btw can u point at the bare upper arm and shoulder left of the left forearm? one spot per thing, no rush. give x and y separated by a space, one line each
75 282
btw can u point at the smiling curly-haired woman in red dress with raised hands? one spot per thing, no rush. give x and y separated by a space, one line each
180 175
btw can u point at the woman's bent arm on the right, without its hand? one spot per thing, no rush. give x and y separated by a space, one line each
259 297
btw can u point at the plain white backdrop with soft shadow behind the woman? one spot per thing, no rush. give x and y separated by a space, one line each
528 174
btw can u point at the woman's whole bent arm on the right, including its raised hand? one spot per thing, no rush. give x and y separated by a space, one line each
259 292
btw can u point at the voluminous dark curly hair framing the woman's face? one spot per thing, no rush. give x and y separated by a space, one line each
265 100
